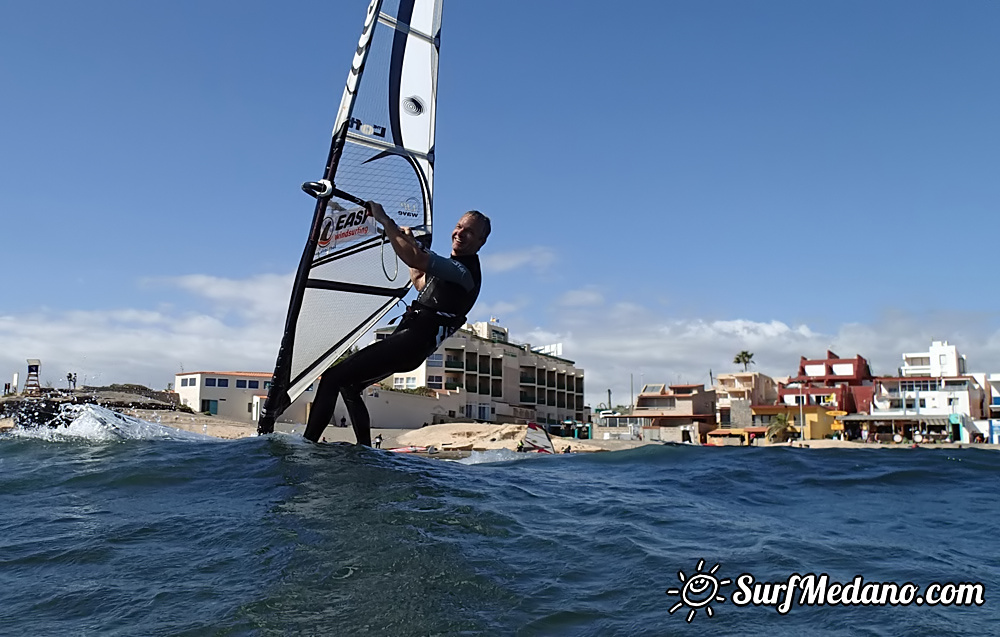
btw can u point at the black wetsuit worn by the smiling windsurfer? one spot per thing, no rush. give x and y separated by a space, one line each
451 289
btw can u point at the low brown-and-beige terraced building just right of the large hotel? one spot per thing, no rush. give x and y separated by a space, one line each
678 413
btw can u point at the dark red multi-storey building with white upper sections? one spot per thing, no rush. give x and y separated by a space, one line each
841 384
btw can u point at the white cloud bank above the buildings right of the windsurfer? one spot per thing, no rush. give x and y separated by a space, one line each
621 339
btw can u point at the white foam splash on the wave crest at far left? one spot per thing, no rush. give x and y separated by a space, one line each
99 424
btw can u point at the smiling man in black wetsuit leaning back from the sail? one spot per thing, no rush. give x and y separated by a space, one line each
448 288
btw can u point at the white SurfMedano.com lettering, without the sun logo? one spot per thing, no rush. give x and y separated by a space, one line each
818 590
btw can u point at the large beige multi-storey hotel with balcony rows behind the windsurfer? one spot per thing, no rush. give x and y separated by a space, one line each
501 381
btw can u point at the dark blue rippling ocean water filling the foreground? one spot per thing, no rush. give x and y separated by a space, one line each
114 526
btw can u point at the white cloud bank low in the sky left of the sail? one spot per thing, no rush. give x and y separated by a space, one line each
150 346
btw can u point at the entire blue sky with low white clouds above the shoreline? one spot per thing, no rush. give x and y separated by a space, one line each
670 182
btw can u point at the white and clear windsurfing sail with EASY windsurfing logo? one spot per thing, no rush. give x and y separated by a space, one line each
382 150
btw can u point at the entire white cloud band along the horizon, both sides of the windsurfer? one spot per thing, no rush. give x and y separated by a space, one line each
610 339
